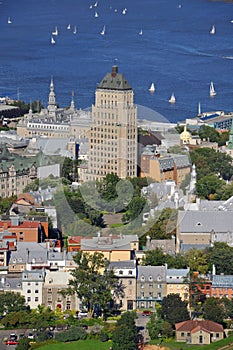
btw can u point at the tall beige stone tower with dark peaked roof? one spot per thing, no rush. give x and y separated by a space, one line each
113 133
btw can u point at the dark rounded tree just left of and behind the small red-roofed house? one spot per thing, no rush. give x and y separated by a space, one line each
173 309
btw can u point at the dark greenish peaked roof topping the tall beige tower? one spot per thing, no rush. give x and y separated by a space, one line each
114 81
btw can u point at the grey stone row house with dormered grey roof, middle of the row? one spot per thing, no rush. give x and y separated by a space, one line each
151 286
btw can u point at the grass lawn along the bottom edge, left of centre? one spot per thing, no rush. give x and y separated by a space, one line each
80 345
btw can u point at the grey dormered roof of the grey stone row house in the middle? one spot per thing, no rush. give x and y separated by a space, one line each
152 273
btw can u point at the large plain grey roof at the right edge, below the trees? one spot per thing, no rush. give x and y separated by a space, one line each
205 221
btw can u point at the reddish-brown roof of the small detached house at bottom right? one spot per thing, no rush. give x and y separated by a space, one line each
192 325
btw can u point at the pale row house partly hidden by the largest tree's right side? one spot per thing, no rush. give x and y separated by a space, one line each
126 271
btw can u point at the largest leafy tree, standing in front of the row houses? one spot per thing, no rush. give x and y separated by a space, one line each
94 283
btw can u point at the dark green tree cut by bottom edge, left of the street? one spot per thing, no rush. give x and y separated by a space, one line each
124 336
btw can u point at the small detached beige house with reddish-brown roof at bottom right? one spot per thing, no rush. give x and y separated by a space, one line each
199 332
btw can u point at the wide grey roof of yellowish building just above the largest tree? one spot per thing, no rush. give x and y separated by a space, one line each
108 243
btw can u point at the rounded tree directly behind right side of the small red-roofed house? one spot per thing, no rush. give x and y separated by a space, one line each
213 310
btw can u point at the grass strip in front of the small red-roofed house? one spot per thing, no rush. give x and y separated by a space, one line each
214 346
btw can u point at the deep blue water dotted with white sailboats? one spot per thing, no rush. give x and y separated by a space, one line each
176 51
